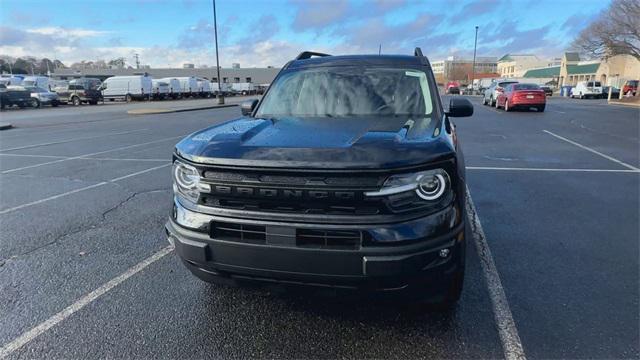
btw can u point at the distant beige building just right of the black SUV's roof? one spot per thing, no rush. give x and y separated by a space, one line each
455 68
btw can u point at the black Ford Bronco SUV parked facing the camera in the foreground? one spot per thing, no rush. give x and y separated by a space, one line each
346 175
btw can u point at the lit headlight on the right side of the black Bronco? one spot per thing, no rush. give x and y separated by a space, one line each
429 185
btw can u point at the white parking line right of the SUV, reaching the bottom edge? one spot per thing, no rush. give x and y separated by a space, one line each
511 344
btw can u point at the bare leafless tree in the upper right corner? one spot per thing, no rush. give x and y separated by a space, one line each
615 32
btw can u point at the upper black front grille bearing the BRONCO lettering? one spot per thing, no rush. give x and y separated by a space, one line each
293 192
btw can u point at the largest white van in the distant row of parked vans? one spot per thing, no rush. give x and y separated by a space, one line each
127 88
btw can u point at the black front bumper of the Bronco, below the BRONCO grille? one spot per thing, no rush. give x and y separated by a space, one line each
407 266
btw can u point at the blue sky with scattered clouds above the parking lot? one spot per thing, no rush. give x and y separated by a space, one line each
270 32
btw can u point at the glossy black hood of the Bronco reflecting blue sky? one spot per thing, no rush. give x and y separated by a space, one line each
334 143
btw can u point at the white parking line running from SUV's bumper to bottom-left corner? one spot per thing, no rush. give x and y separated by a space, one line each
87 299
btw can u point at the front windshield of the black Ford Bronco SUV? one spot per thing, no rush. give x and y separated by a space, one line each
348 91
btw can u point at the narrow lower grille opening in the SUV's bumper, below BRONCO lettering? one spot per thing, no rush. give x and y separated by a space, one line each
284 236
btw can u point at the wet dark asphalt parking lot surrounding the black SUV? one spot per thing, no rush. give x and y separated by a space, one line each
86 271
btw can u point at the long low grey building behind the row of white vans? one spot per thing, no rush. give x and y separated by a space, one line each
228 75
